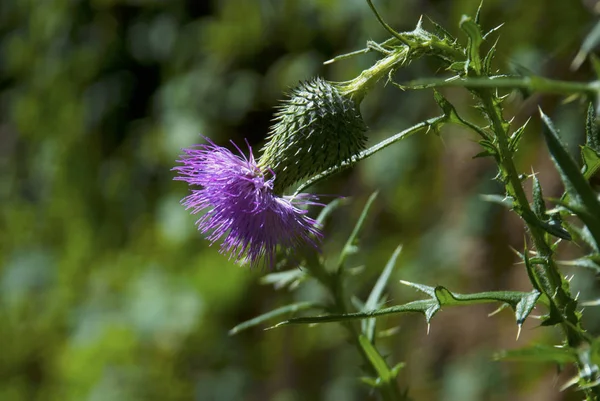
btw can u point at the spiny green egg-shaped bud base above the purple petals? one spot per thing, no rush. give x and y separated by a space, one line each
318 127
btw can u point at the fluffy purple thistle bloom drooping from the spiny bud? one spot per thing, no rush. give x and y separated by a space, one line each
241 206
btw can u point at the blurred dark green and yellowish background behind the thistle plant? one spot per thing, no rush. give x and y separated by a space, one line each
108 292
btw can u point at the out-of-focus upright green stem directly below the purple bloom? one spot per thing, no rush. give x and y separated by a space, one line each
333 283
